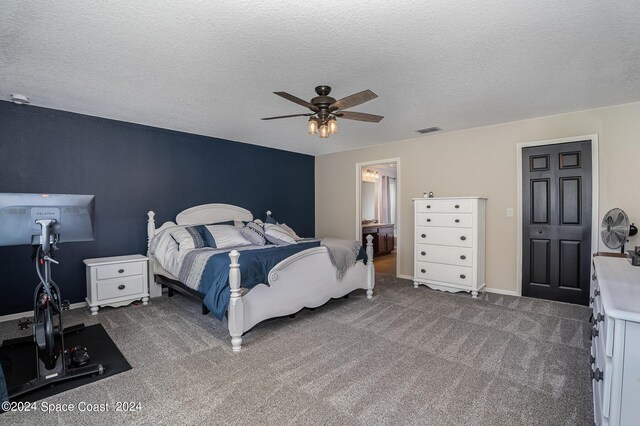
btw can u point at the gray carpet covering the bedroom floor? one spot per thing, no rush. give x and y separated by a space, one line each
409 356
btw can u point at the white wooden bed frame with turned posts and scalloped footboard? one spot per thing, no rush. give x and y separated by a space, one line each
306 279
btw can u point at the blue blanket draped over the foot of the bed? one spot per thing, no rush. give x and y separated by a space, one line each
254 269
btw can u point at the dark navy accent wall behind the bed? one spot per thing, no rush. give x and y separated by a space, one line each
132 169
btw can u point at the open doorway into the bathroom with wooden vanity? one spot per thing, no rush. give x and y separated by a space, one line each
377 211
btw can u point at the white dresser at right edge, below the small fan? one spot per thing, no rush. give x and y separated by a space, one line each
615 341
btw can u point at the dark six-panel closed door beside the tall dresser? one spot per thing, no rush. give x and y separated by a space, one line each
556 220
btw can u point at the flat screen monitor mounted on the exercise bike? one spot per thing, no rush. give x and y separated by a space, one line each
18 214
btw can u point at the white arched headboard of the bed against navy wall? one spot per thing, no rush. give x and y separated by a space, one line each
198 215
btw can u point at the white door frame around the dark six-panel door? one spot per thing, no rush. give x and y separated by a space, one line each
595 181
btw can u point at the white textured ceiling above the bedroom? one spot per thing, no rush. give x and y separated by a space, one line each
210 67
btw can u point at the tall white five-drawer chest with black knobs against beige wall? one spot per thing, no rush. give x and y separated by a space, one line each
449 243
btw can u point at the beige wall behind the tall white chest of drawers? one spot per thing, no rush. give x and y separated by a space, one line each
482 161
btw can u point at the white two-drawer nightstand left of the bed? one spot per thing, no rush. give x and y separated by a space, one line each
116 281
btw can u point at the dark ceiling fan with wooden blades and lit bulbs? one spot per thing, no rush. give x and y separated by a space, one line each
325 110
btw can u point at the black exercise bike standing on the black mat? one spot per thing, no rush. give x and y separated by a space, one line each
55 363
